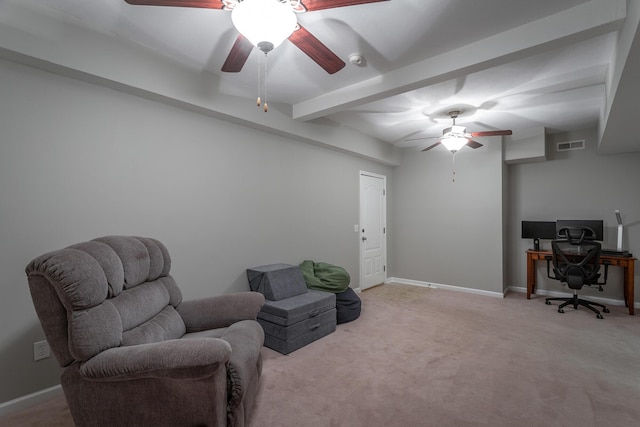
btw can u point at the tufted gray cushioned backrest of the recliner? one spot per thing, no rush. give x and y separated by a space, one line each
109 292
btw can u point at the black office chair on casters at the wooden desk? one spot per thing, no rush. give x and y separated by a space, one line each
576 262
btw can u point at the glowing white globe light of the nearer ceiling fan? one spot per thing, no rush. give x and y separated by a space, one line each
265 23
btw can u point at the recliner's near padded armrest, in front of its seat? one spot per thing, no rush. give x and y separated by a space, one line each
192 358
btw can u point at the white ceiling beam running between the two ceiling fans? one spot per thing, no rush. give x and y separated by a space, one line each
587 20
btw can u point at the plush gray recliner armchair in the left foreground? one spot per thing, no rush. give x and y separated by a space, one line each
133 352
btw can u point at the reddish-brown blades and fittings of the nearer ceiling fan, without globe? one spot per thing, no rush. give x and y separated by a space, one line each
300 37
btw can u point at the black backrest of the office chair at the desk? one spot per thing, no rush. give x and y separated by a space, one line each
576 257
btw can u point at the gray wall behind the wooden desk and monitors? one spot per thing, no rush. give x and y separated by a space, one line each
578 184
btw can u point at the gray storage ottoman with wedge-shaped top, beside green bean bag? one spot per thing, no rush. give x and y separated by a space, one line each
300 316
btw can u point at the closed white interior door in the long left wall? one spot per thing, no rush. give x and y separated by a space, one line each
373 228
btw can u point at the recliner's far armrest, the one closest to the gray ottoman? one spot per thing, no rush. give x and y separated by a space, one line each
221 311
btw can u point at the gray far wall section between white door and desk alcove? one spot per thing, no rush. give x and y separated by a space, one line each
449 232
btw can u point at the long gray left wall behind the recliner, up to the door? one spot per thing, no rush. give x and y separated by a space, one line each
79 161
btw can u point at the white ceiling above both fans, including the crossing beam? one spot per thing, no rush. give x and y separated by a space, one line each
507 64
